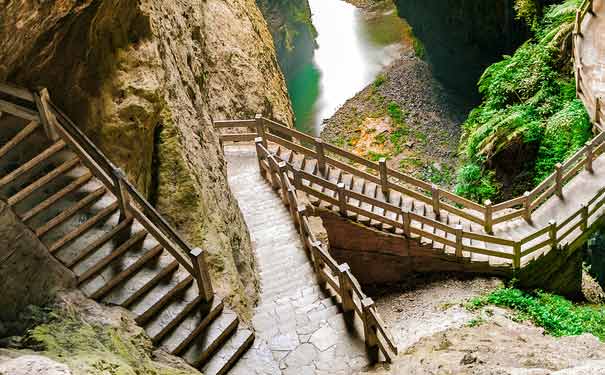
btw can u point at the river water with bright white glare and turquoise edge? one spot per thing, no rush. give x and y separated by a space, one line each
354 46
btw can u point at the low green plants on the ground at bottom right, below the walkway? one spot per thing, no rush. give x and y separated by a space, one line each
557 315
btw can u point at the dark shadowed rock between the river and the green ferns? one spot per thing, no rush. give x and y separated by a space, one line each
463 37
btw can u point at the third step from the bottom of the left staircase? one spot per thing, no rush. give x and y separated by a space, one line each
179 339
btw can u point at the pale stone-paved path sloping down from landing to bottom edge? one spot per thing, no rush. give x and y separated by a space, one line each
299 328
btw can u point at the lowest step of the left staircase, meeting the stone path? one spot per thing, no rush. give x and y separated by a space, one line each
222 361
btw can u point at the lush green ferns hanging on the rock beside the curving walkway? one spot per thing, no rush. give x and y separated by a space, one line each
529 107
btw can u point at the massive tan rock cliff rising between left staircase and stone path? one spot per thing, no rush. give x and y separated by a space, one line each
145 79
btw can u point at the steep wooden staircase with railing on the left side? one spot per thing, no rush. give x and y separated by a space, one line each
121 254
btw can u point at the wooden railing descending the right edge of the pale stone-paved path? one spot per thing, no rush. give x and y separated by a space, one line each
329 273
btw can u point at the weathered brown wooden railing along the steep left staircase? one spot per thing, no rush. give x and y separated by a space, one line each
131 202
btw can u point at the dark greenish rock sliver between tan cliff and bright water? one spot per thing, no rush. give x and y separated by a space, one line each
293 32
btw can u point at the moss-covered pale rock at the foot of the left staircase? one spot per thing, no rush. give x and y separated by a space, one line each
95 349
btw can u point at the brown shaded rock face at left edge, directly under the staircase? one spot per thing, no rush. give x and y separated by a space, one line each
29 275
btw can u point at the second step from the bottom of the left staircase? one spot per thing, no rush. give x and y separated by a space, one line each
215 335
